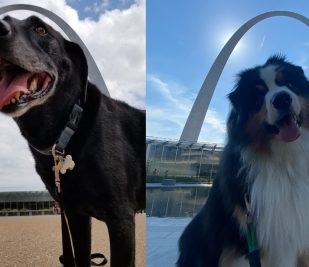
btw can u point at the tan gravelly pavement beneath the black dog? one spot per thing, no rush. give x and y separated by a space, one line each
35 241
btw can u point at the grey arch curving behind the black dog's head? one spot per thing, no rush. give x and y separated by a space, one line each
94 73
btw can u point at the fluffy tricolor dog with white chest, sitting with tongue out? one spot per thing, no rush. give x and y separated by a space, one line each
266 158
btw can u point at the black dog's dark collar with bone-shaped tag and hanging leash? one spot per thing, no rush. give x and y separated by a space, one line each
62 163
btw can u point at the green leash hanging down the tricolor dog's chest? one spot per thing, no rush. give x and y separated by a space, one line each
254 252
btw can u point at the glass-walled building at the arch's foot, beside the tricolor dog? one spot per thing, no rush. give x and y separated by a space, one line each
182 161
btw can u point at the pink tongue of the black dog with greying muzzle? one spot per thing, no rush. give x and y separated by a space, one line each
9 86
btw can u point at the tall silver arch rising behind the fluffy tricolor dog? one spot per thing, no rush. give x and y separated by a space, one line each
197 115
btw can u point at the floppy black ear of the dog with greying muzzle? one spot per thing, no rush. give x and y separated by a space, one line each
79 59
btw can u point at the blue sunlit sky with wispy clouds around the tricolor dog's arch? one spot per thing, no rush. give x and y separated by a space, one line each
183 40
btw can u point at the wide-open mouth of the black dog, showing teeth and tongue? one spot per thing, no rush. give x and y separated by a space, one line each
19 86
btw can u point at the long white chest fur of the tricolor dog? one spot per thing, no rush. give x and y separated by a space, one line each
280 200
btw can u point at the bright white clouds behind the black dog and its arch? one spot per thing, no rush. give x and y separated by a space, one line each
117 43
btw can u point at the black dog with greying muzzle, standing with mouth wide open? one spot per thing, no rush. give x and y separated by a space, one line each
42 77
